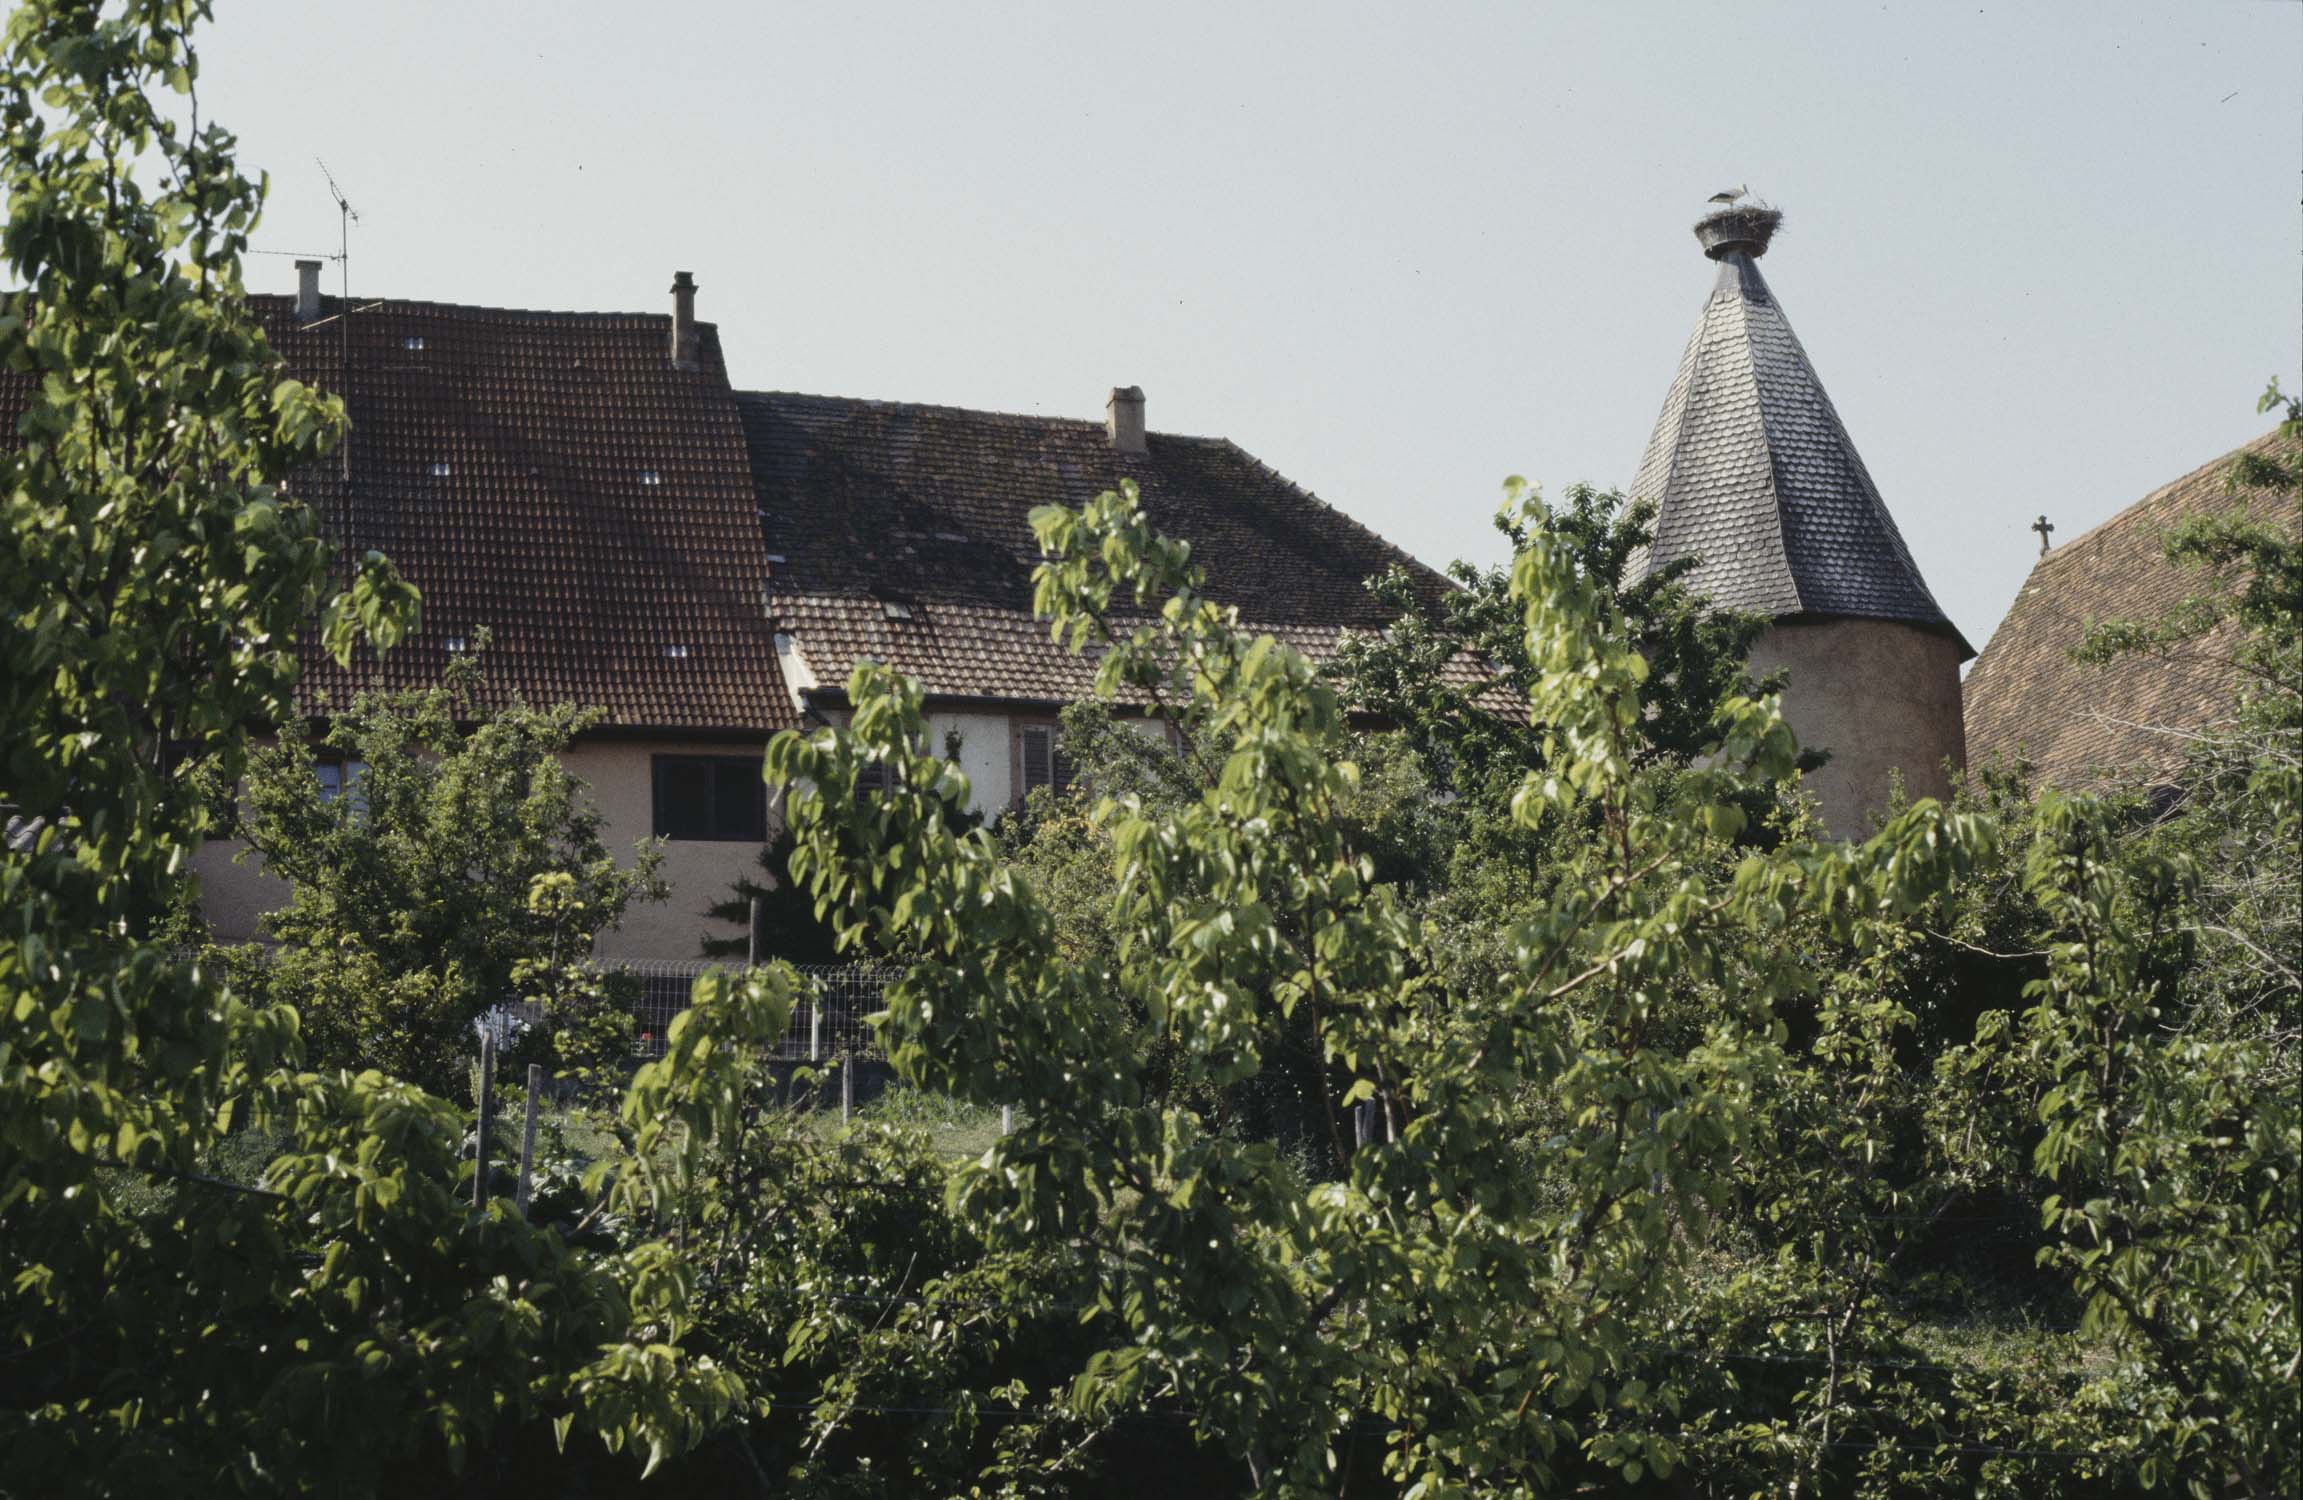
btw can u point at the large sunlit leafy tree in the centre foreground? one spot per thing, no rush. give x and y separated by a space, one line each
1464 1285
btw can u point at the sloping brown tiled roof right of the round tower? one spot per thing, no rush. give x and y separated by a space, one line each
2028 697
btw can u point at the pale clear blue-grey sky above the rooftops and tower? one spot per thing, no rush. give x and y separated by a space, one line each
2044 257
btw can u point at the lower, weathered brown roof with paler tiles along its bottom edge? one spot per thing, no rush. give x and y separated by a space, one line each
904 533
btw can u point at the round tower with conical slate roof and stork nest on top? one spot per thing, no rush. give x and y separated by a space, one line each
1756 480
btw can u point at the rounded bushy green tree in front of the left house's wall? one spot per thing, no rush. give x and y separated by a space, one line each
459 868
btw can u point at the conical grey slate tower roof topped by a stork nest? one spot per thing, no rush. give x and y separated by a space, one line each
1754 474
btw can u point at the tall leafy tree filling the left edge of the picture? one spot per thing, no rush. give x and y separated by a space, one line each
340 1319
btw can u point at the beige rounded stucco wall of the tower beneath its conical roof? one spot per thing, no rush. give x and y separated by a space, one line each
1880 697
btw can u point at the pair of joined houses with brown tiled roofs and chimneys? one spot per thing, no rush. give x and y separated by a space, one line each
708 566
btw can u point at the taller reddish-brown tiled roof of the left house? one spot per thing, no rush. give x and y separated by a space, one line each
556 480
